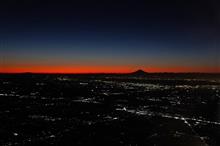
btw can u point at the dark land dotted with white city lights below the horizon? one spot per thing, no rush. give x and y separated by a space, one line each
154 110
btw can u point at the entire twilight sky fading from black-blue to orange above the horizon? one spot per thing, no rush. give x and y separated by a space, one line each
109 36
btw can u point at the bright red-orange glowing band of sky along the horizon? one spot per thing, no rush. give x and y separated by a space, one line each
103 69
